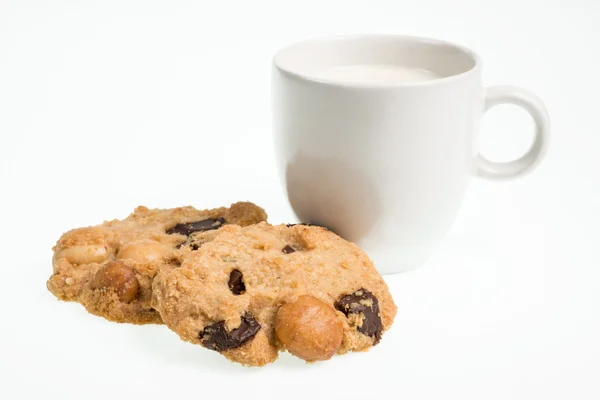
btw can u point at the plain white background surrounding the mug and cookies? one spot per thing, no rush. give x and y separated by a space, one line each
107 105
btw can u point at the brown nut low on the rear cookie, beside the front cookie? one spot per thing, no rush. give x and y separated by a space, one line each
118 276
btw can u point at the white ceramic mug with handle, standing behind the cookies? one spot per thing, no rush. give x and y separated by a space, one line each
385 164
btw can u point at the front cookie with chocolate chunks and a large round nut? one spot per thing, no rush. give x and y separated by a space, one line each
252 292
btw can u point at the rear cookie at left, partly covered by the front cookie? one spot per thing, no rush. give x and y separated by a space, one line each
109 268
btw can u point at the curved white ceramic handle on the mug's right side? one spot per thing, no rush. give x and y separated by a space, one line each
531 103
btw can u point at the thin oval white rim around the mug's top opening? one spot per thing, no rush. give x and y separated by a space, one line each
418 39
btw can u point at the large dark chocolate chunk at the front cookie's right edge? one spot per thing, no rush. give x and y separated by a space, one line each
362 302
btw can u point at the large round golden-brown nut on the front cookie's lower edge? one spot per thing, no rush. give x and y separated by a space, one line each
309 329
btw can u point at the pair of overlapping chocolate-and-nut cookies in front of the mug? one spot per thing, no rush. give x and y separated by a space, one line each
229 281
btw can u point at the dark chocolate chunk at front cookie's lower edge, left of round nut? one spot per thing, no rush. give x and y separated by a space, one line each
216 337
